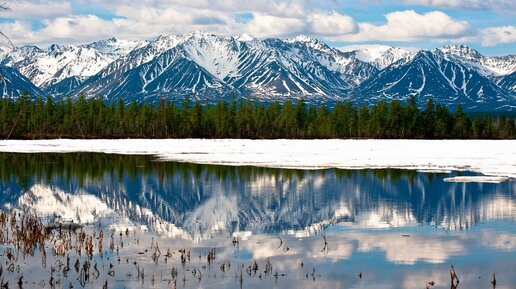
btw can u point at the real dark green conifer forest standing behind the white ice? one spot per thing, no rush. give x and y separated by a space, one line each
24 118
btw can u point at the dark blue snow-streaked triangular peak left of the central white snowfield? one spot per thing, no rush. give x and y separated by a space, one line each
170 74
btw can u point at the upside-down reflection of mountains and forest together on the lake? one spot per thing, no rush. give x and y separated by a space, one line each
200 201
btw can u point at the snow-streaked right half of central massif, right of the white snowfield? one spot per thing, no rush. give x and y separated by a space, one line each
274 68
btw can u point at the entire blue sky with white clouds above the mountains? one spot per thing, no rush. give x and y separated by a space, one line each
486 25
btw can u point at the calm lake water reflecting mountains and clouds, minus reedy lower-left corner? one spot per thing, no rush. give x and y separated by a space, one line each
394 228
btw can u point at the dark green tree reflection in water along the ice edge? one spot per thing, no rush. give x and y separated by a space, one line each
81 168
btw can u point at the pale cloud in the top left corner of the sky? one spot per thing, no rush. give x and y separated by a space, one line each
39 9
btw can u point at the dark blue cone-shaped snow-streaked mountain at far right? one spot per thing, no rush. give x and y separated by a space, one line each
434 75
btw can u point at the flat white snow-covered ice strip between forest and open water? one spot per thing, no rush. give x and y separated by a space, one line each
490 157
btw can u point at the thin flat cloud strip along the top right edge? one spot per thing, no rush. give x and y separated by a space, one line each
506 6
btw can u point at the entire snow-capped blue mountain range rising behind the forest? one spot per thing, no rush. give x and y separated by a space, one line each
207 67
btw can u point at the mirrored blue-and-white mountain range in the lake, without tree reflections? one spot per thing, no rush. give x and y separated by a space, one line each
214 204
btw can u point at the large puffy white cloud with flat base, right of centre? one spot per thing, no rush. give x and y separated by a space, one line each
409 25
